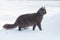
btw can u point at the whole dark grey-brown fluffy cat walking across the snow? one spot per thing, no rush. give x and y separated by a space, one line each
27 20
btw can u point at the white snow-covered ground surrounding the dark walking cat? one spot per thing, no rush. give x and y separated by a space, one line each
10 10
